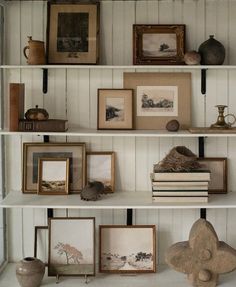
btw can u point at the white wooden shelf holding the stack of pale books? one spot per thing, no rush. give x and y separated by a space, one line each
117 200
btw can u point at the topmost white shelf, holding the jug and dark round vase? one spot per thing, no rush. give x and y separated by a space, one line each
161 67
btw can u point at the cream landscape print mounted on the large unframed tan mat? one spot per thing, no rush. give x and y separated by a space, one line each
157 101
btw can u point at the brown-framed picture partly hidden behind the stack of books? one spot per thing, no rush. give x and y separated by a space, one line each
218 169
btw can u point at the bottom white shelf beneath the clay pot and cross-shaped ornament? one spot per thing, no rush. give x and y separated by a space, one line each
164 277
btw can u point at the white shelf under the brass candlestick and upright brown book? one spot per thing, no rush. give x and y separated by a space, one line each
119 133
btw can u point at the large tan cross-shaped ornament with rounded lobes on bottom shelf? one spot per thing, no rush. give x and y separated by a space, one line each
203 257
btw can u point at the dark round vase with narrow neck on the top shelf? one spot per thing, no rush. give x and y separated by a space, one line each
212 52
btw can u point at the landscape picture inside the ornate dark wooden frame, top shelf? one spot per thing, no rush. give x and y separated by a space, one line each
159 45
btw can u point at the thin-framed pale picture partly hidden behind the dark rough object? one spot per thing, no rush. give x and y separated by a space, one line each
101 167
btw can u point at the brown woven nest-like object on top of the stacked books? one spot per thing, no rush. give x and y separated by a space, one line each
179 159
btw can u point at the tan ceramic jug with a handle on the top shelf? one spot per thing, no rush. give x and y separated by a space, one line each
36 52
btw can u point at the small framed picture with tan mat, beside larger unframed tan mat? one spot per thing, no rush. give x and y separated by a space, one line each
115 109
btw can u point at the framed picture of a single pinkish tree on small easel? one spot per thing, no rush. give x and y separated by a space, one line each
71 252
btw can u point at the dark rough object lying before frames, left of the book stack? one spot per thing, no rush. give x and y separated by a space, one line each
92 191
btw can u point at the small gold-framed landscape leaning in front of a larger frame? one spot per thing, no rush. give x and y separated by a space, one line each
53 176
